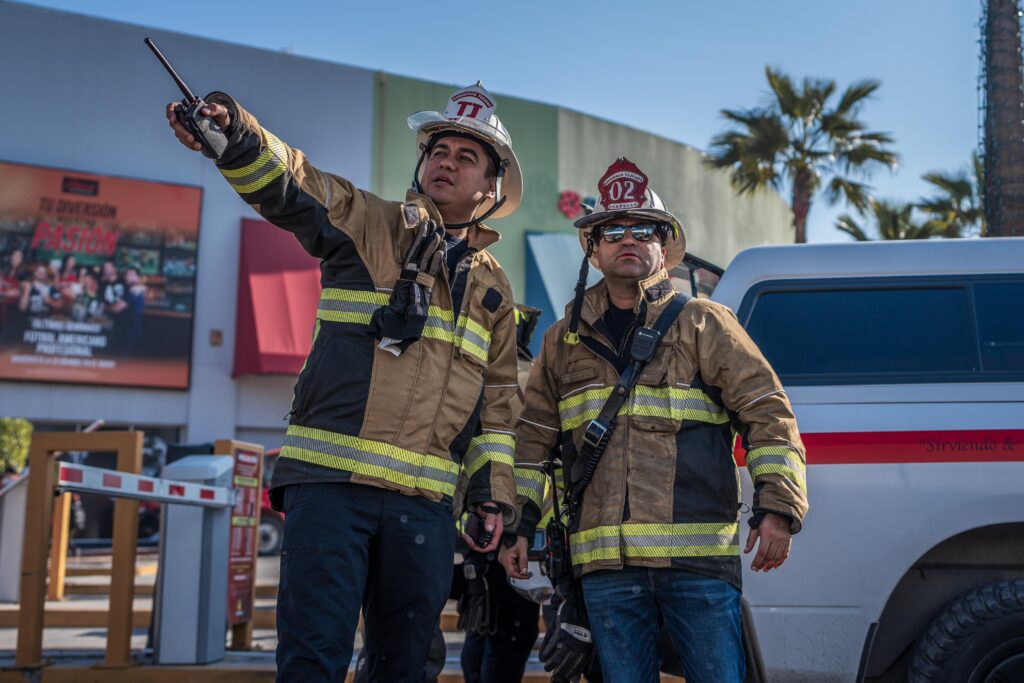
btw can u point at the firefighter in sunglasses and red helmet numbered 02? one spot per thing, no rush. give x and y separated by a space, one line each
643 389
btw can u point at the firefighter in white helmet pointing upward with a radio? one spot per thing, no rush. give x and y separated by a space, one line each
412 378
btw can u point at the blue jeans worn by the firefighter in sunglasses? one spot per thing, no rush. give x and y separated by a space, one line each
702 615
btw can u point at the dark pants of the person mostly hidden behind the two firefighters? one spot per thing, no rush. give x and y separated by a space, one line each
501 658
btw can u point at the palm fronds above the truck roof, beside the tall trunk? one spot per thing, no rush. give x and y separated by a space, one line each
959 209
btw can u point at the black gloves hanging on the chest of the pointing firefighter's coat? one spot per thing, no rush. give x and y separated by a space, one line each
401 323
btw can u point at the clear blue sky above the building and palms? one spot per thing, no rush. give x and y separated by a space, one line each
663 67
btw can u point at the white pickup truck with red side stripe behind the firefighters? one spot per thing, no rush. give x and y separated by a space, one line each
905 363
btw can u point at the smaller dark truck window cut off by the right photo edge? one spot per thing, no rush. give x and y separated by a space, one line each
1000 309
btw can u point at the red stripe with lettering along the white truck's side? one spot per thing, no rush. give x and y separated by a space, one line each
965 446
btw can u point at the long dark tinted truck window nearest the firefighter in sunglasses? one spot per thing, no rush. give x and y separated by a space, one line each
866 335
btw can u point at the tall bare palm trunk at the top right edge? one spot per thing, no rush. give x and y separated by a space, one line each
1004 125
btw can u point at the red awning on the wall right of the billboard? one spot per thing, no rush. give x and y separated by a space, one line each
279 290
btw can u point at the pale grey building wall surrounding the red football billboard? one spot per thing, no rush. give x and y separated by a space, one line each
88 95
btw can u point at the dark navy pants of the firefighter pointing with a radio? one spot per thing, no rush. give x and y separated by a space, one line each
349 546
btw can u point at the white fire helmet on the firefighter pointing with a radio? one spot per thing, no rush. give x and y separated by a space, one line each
472 111
